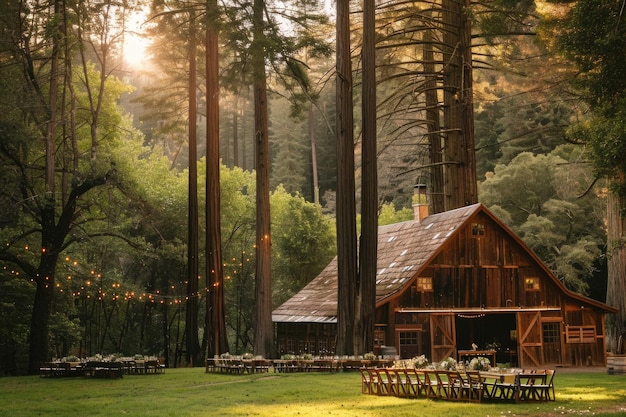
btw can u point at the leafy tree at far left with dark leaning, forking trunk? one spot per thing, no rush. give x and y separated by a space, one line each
62 114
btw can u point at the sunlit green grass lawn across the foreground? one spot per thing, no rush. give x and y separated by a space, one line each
192 392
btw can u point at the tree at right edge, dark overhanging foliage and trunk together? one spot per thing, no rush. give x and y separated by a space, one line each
593 36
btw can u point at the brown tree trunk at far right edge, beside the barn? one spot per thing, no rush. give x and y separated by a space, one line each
616 286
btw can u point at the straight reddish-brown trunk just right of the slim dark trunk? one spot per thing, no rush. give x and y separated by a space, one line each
215 315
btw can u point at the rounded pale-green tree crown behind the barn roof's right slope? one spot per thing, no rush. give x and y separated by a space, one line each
538 197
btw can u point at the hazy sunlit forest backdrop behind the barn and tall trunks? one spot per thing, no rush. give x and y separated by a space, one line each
117 208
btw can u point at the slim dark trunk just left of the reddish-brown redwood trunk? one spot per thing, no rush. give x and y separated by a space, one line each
191 322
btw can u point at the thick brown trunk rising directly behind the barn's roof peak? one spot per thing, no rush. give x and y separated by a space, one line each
460 165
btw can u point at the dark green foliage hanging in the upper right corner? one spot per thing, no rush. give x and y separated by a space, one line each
594 38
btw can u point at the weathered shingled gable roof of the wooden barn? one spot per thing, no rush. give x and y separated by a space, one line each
404 249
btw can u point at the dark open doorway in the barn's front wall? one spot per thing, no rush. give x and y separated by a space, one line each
488 331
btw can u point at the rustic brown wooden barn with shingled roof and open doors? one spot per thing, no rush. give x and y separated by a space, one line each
456 284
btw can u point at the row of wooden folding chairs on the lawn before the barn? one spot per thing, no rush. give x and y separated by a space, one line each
469 386
